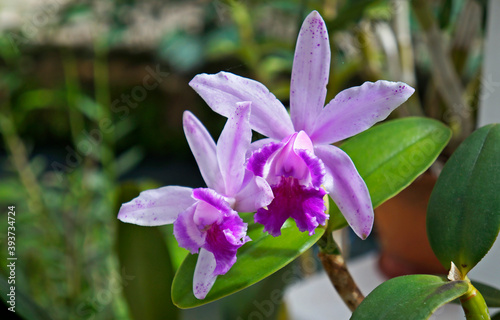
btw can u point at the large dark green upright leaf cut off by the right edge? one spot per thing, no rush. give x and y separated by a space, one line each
463 217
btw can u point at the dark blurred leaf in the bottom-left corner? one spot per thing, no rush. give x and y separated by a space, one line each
23 305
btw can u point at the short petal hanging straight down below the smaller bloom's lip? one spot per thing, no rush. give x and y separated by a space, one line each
204 277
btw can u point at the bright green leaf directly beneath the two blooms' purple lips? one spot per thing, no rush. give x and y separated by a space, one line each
257 259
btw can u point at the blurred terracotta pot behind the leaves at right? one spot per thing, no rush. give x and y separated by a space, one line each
401 230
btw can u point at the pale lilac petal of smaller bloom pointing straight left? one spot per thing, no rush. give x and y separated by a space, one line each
156 207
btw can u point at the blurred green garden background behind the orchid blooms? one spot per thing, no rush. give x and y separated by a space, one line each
91 101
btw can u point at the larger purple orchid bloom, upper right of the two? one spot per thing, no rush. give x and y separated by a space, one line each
298 159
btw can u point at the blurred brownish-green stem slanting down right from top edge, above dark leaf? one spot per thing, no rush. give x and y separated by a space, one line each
445 77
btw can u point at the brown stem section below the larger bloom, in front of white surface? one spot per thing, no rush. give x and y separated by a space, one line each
336 269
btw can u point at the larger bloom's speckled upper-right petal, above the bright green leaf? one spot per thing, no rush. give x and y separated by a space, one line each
357 109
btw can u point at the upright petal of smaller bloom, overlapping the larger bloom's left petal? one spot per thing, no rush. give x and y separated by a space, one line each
232 146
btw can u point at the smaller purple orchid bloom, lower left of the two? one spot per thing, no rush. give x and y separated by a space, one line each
206 219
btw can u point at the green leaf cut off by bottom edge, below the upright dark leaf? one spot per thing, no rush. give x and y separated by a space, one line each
409 297
